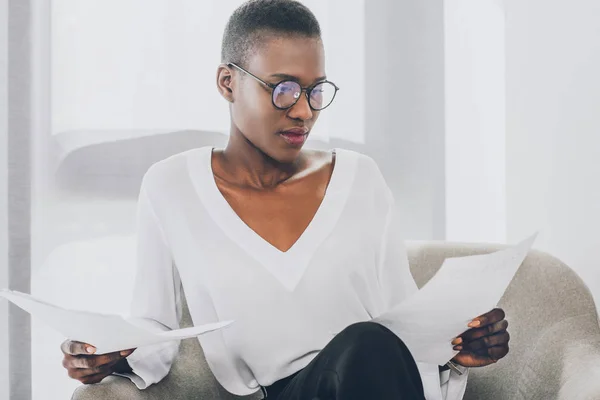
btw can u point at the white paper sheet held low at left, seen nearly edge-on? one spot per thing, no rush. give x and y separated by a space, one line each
107 333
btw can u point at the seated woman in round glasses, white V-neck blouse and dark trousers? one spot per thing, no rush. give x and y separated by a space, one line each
297 246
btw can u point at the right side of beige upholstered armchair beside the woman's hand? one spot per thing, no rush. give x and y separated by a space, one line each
553 323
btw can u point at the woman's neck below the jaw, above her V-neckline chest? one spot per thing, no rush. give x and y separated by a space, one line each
246 165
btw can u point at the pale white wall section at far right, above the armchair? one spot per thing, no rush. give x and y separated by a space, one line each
553 129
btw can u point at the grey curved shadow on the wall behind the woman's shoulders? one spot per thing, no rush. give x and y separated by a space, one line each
114 169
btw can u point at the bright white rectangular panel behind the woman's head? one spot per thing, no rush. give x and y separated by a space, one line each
116 68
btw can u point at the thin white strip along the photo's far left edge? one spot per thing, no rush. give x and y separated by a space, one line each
4 377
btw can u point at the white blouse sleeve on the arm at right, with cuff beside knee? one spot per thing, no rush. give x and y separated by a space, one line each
397 284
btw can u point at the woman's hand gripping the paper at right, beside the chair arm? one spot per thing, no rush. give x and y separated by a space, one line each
485 343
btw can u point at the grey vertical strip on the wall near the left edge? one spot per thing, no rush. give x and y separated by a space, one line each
19 192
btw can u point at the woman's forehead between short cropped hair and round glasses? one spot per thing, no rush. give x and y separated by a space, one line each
302 57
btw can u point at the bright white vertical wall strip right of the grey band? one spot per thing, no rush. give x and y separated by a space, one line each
475 120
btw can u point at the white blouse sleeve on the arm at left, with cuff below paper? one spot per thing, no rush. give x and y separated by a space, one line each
156 302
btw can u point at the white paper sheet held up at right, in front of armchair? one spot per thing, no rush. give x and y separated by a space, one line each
463 289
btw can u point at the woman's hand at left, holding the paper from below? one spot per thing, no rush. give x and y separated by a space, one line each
87 368
